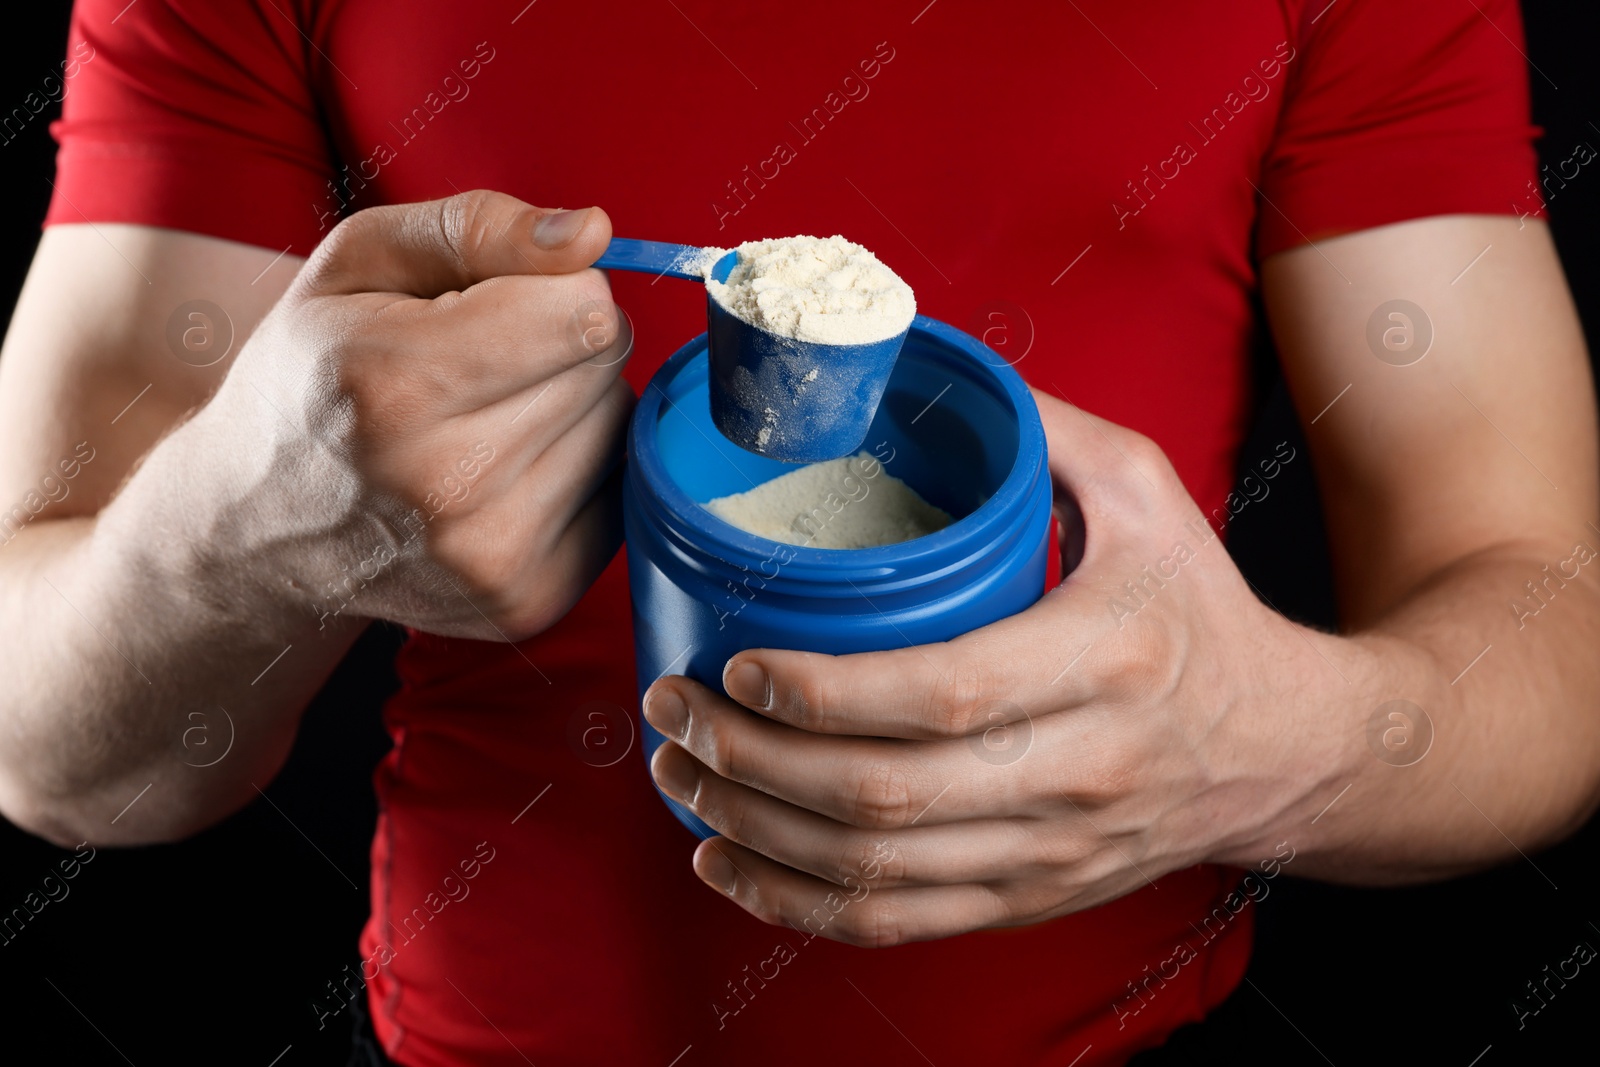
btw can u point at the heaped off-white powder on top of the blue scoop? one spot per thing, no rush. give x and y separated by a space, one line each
823 290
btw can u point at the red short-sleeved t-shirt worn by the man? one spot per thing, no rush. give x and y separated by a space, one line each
1111 174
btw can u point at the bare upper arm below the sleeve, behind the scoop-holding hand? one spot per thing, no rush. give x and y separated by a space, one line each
110 350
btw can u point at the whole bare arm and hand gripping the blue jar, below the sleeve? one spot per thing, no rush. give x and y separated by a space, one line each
1204 727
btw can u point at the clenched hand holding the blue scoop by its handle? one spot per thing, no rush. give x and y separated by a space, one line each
430 420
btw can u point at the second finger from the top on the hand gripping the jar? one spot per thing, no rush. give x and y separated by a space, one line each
871 783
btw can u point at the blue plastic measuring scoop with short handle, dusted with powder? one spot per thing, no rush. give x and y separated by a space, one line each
780 398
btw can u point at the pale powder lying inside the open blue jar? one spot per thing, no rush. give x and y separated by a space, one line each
849 503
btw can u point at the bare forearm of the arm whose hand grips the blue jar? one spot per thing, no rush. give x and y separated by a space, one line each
1508 757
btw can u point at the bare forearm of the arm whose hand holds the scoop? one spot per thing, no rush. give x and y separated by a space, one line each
158 655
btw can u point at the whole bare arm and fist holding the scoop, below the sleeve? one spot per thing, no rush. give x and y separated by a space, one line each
422 428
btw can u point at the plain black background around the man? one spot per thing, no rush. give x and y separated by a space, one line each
212 951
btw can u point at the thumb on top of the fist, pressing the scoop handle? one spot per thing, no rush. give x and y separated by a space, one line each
454 244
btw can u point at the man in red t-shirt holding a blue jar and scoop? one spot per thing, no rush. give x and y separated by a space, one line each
410 422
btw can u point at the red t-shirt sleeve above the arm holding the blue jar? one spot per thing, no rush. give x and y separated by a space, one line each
1399 111
